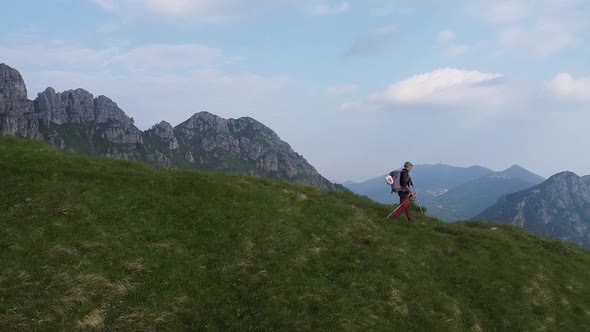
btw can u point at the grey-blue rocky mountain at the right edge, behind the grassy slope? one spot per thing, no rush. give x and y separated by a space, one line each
558 207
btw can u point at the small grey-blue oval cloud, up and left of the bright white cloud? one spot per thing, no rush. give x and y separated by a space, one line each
375 41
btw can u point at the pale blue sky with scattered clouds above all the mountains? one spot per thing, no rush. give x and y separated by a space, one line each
355 87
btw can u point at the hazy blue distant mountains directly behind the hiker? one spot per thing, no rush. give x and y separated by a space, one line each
453 193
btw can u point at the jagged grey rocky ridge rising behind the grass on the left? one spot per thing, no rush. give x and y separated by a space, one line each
75 120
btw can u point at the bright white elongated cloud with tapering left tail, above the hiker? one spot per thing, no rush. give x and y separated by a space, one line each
442 90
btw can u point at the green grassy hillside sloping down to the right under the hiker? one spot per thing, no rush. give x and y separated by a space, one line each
98 244
